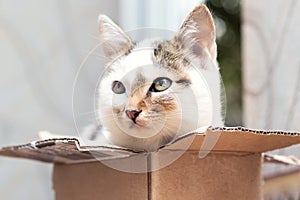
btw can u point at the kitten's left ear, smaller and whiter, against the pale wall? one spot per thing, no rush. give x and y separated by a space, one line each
114 40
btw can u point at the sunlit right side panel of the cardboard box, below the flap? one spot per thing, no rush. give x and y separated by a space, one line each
217 176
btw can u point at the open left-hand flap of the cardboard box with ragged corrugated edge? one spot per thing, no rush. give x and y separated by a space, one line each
64 150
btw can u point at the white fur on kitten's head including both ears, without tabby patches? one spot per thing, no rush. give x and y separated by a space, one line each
197 105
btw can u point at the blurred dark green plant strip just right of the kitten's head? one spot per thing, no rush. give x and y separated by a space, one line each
228 23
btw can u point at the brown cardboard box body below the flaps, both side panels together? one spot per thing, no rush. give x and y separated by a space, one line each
217 176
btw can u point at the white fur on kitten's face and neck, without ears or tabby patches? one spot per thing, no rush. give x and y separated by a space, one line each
197 106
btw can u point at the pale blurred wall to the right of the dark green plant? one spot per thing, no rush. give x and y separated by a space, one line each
271 68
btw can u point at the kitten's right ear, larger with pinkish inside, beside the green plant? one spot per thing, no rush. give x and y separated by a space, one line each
197 32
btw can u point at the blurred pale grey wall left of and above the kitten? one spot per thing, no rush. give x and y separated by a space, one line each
42 44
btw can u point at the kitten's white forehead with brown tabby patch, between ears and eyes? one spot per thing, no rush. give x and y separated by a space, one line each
148 60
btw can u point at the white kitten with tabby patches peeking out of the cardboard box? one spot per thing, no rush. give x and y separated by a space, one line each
156 90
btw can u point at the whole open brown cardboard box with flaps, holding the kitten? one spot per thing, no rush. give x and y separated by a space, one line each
232 170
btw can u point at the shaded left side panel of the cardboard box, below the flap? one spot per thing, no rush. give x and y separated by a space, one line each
96 181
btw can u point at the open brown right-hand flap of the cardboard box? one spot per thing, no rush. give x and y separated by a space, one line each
240 139
